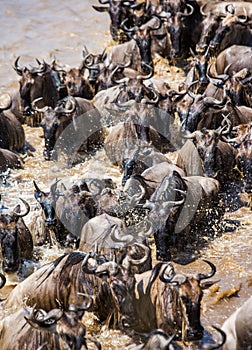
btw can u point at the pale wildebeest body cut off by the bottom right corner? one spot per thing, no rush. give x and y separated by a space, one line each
238 328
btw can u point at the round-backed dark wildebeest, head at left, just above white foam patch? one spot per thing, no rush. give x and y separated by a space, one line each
78 121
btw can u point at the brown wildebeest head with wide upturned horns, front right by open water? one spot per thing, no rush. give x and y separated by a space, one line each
179 299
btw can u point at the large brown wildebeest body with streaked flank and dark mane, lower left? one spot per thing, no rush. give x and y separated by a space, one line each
59 282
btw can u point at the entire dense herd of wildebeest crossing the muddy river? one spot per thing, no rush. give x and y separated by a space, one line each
115 101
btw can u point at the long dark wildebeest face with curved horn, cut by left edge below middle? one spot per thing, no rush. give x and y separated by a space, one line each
9 235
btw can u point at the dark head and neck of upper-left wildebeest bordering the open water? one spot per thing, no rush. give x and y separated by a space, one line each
36 83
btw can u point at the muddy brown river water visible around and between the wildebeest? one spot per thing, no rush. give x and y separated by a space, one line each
44 29
